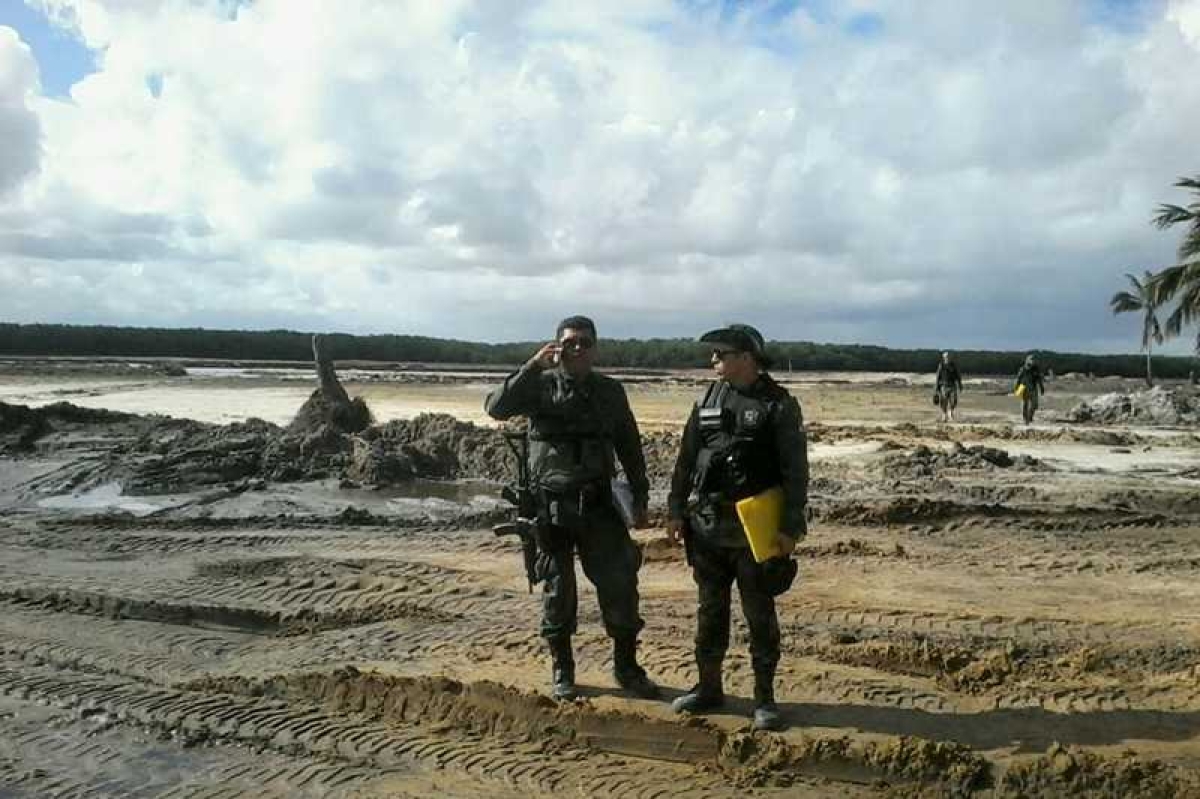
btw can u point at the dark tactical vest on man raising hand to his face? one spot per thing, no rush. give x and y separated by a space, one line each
571 441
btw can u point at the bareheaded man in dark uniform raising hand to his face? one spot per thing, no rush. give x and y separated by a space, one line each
578 420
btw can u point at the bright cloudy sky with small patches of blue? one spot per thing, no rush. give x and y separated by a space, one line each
908 173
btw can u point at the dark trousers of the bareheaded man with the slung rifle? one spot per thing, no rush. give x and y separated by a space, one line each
610 560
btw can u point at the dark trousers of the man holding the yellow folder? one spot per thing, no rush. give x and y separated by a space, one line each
716 569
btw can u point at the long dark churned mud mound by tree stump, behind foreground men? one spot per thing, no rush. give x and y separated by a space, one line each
157 455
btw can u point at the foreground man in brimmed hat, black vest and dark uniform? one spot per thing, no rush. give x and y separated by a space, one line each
746 436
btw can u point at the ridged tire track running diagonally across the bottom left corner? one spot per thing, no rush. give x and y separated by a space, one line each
303 729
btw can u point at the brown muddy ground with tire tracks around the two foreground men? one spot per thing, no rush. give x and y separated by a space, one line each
983 610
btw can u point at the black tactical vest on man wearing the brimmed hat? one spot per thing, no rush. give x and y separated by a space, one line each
739 456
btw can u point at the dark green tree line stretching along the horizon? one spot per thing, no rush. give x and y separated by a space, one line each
652 353
